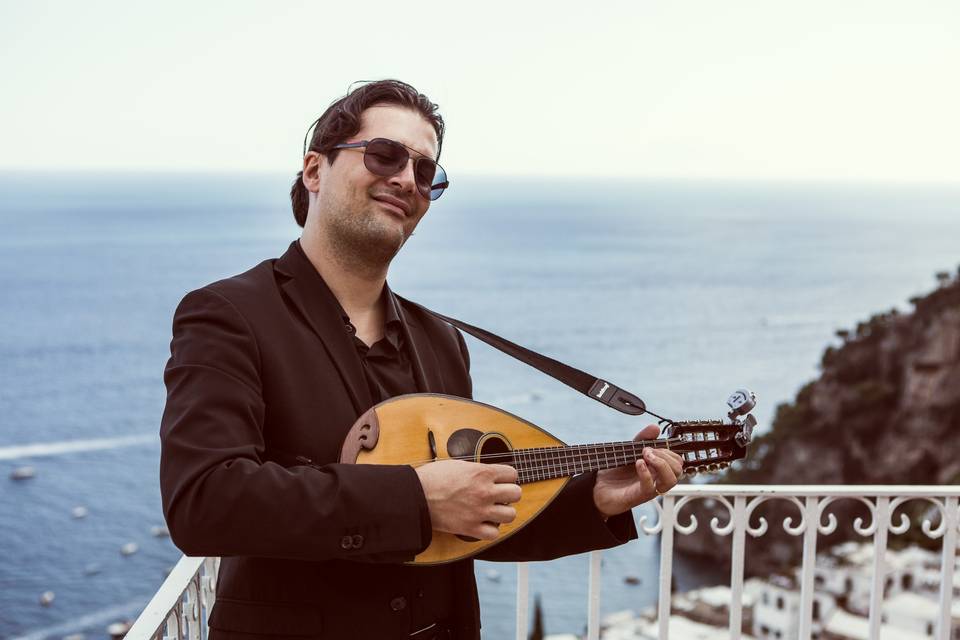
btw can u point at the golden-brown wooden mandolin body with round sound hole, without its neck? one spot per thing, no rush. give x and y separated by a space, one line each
401 430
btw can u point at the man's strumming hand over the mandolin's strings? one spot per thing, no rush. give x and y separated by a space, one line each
469 498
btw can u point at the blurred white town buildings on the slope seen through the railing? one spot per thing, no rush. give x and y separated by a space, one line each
842 581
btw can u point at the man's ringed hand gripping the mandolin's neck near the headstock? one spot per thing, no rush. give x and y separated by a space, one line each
618 490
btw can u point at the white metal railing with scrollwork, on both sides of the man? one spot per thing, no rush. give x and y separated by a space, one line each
181 606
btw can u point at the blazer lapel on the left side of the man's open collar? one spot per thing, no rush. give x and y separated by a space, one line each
316 303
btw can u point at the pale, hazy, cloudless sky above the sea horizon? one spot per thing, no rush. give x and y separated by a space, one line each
740 89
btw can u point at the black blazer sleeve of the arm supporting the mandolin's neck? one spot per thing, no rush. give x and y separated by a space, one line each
570 524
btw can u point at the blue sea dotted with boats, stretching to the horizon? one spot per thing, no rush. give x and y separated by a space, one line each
679 291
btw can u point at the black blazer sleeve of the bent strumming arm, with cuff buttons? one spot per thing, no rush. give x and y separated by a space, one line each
221 498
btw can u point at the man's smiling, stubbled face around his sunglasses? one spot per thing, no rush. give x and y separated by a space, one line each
365 216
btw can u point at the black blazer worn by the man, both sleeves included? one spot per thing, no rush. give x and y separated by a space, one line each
262 371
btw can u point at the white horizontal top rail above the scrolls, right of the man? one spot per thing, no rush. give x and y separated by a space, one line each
803 490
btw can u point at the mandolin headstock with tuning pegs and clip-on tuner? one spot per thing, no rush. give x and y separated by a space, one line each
711 445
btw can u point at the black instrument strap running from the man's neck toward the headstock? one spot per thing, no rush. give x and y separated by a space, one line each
597 388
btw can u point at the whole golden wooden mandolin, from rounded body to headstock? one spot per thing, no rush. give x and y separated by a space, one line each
415 429
